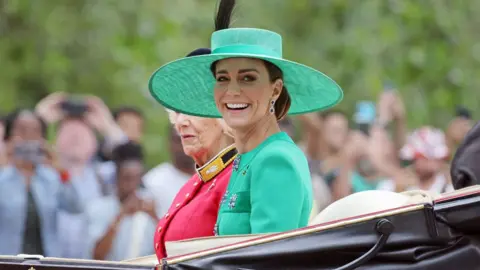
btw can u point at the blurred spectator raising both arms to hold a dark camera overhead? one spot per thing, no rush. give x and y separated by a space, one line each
78 119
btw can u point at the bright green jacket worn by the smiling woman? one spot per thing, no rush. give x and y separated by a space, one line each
270 190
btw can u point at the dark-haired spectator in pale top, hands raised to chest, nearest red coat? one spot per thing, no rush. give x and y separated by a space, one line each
121 225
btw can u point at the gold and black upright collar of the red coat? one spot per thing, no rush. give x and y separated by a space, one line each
217 164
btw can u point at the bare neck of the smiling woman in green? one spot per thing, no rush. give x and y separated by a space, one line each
249 139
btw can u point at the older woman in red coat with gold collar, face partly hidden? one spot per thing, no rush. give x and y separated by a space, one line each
194 210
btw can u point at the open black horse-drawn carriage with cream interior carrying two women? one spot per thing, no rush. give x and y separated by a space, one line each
424 233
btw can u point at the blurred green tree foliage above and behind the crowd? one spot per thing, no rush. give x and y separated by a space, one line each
429 48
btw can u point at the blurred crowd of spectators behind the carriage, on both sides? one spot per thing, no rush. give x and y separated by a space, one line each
88 194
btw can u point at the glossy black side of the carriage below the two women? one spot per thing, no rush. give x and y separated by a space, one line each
444 236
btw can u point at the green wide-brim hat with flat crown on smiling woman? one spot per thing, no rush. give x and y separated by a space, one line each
186 85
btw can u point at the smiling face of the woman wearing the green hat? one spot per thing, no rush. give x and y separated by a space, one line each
243 91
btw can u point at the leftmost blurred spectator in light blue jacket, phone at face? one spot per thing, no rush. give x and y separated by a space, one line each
32 189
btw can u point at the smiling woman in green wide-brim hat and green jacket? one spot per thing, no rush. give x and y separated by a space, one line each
246 81
